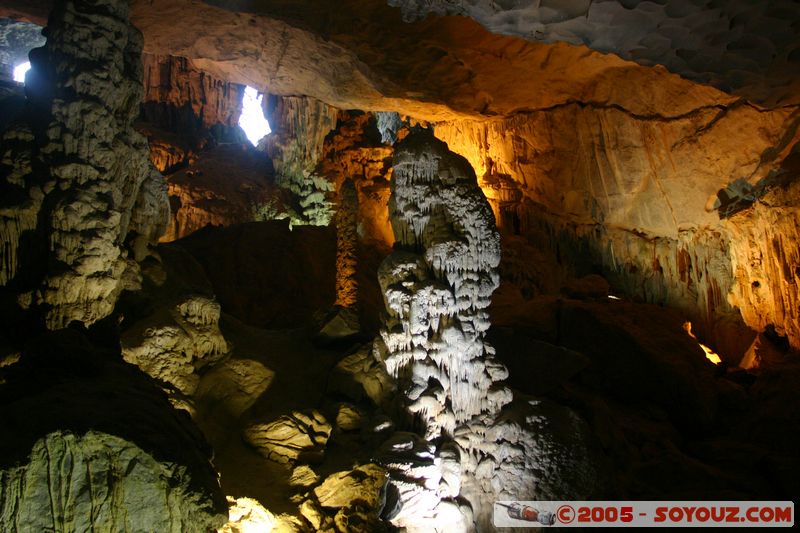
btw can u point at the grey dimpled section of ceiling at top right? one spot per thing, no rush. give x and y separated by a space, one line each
747 47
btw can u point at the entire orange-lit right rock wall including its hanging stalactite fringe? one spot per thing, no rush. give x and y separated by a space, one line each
637 193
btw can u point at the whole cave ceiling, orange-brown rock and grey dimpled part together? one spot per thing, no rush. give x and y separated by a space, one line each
643 57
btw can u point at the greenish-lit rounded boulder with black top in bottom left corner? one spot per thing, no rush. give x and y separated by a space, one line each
89 441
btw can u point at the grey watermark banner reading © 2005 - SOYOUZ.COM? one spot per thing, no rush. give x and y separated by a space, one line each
644 514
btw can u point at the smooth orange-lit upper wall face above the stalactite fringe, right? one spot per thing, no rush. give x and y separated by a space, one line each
653 174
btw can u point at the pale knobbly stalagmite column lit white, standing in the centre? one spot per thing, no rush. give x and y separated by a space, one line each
436 299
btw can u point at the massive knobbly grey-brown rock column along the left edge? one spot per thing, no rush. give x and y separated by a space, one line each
74 154
